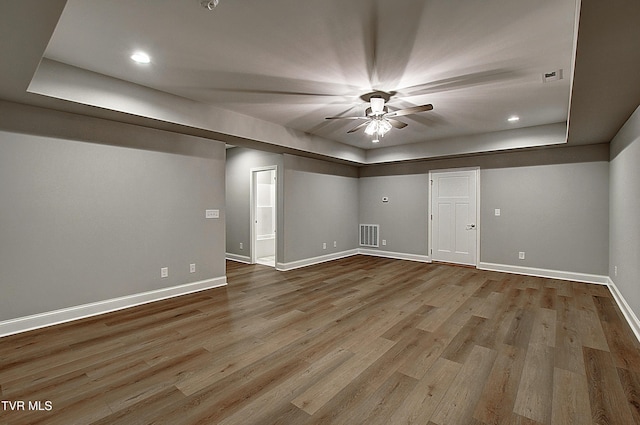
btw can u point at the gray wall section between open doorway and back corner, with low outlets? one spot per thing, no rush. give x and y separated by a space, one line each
320 206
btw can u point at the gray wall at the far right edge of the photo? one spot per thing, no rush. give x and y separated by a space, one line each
624 209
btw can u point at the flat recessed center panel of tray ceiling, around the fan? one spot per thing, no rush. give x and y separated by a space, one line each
294 62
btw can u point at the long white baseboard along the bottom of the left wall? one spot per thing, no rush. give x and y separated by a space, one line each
41 320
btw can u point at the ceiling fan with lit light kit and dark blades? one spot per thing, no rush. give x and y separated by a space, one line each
378 120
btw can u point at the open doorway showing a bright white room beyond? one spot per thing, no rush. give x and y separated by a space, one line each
263 215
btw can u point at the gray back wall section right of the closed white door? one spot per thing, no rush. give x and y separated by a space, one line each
557 214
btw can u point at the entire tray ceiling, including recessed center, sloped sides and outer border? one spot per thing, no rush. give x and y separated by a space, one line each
267 73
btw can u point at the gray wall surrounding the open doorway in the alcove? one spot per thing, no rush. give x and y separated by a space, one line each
240 161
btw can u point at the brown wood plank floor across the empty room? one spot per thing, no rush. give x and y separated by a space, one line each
362 340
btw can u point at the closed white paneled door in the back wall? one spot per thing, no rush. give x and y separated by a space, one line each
454 228
